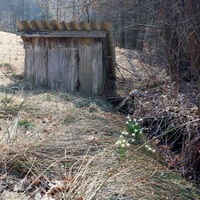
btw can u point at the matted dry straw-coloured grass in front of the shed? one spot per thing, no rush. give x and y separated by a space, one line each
74 137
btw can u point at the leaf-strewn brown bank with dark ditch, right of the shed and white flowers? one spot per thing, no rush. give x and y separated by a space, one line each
169 109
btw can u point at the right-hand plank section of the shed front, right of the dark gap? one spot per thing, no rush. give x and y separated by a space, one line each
91 73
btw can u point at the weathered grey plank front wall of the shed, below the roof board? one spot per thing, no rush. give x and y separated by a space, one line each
67 64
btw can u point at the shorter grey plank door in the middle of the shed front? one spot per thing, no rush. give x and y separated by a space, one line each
63 69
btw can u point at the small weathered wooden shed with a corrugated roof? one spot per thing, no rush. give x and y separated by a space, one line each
69 57
